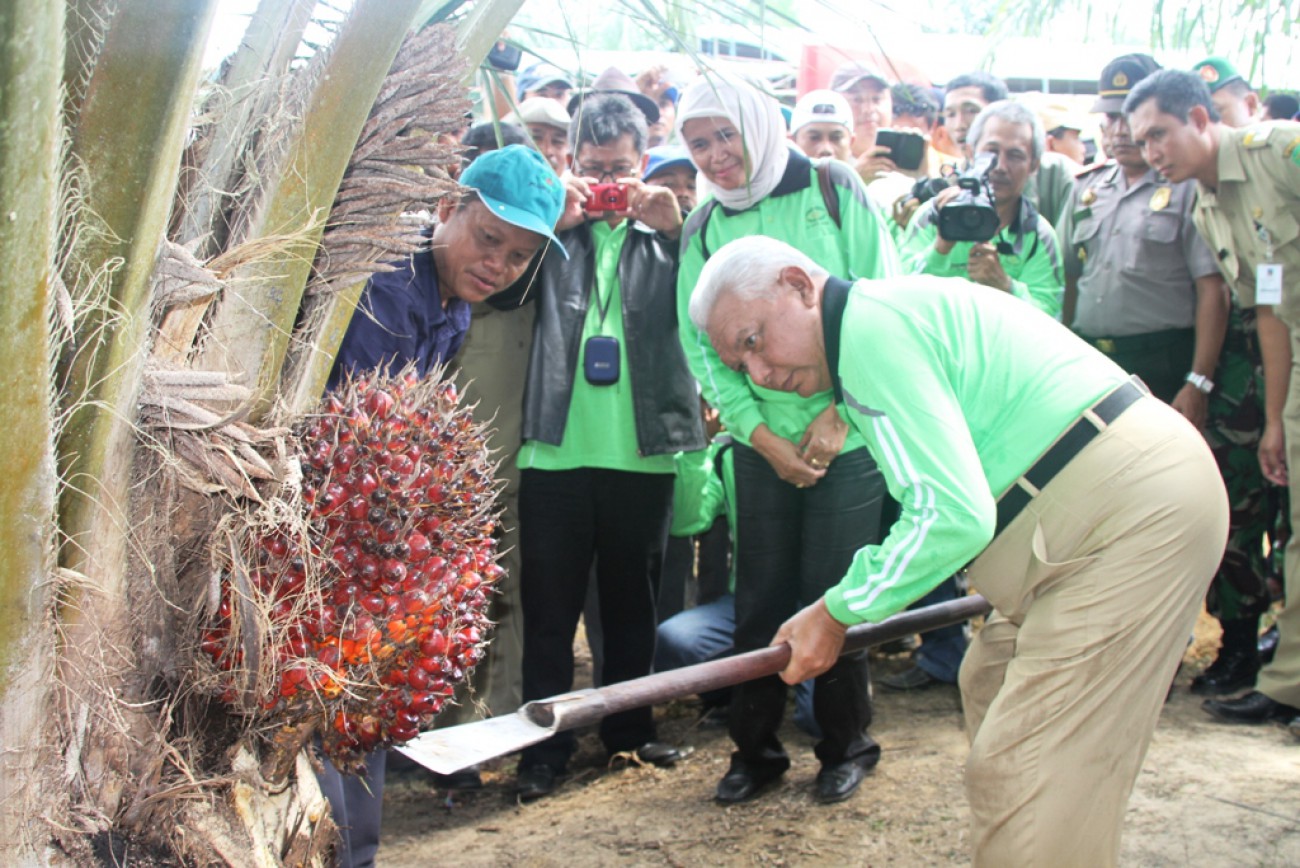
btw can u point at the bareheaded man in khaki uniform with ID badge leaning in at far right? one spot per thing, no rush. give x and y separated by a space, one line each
1249 201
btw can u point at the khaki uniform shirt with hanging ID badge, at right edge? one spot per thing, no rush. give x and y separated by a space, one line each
1253 218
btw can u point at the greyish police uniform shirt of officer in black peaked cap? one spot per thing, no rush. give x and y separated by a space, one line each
1134 253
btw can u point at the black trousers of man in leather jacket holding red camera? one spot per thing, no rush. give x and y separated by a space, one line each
566 520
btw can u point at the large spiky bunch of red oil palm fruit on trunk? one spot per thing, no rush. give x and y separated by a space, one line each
359 618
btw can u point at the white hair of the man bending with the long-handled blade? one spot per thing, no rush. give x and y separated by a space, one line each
748 268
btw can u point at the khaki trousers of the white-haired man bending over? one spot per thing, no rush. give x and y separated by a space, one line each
1097 587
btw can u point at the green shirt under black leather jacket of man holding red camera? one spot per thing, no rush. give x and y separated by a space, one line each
601 429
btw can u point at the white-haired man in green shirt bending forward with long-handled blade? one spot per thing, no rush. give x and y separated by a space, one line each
1093 517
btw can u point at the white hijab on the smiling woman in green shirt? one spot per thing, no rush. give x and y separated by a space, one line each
759 120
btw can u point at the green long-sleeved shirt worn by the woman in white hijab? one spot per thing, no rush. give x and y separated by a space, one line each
859 248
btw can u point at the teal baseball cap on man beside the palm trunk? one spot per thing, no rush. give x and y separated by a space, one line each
521 188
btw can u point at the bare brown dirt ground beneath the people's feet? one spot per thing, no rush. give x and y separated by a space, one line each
1208 795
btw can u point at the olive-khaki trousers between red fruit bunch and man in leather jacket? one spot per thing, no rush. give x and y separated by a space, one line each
492 366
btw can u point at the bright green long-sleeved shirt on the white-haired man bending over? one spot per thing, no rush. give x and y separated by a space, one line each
957 390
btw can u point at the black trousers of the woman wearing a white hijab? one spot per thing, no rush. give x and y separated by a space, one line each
792 546
